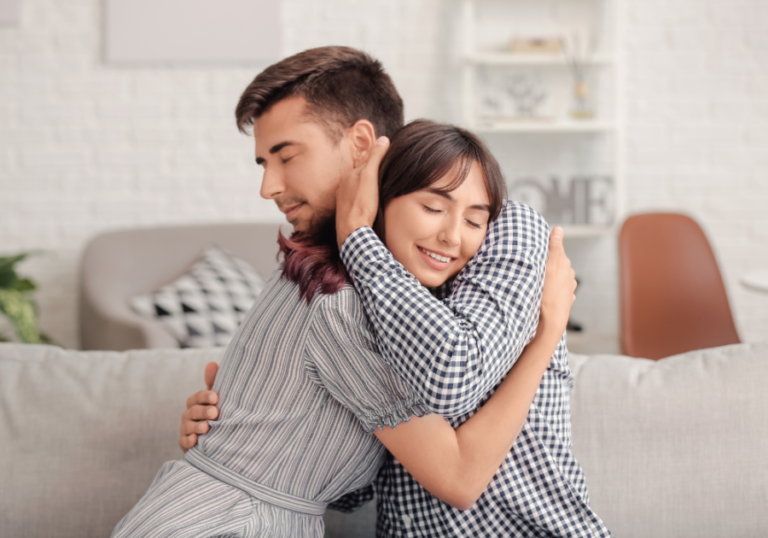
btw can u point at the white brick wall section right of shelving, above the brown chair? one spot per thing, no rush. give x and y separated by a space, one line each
697 118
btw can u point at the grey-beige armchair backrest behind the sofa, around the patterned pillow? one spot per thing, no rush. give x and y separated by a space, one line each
118 265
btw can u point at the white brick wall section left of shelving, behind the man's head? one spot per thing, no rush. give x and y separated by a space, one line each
86 147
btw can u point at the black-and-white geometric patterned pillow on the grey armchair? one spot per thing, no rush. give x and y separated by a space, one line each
204 306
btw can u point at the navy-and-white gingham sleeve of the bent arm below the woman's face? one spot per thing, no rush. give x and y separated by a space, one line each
454 351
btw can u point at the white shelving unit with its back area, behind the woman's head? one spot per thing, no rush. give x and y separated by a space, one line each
485 61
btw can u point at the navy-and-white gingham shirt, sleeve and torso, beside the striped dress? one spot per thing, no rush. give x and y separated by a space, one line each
453 346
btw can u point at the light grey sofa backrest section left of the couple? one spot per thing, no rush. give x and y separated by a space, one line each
84 433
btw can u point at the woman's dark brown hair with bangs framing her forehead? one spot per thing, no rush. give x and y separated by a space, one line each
423 152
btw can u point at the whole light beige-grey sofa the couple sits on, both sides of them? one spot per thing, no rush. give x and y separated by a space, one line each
675 448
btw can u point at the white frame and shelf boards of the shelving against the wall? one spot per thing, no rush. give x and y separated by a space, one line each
570 135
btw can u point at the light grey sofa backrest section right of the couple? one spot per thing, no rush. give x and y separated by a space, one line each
676 447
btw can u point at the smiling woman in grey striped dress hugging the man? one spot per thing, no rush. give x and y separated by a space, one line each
311 380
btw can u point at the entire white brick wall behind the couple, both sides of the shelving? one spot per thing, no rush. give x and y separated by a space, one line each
86 147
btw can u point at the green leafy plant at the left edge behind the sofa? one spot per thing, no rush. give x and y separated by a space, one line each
16 302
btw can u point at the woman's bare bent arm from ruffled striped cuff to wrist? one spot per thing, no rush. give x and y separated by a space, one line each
457 465
